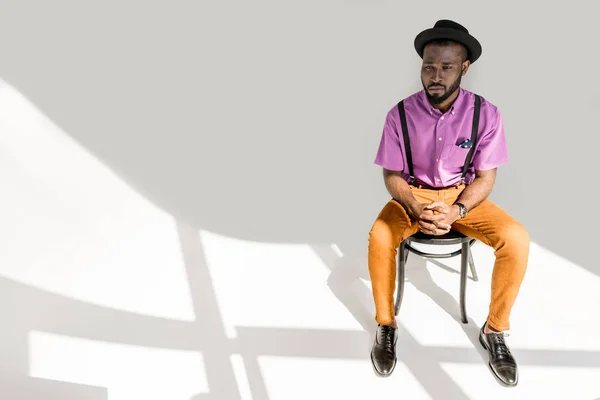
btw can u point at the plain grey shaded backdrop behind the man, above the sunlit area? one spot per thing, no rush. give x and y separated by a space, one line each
260 120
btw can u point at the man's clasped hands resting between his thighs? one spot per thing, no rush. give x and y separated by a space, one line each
435 218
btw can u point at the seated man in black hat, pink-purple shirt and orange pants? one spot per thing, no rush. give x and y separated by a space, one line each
439 177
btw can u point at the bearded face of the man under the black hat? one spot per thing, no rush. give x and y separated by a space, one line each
442 70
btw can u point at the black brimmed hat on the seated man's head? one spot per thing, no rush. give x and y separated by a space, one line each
447 29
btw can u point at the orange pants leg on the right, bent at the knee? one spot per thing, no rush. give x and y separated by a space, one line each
493 226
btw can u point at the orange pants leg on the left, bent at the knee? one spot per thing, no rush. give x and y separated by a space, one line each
391 227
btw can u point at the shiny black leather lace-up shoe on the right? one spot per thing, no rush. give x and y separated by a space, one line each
502 363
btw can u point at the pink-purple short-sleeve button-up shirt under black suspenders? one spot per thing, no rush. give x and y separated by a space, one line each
434 138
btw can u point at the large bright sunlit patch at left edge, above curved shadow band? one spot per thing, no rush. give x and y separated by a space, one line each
72 227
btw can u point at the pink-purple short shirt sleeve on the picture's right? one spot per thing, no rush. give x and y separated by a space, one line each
492 151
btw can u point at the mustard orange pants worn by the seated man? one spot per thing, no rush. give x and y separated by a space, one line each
487 223
